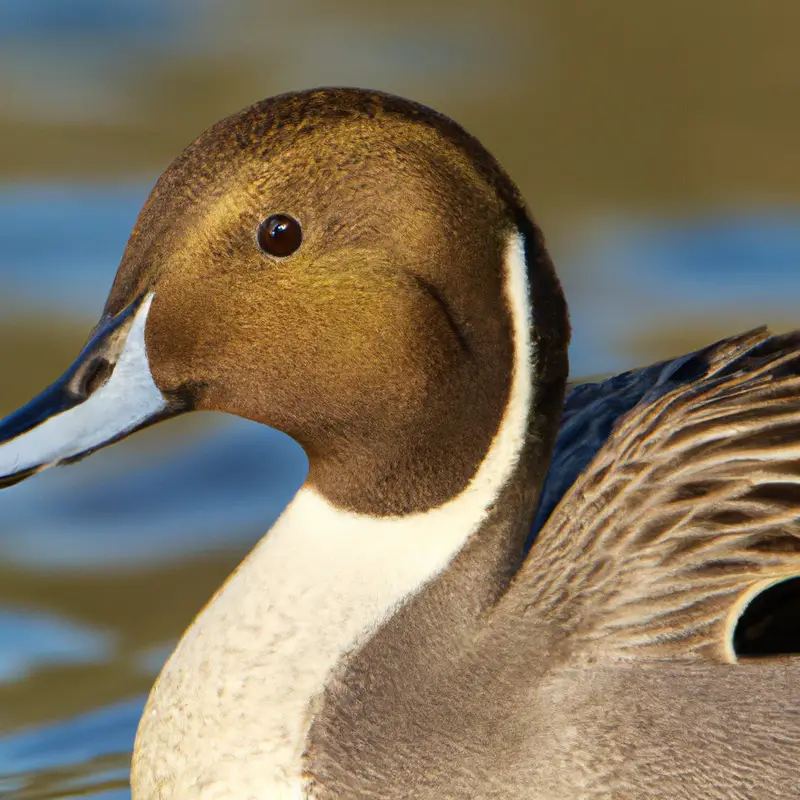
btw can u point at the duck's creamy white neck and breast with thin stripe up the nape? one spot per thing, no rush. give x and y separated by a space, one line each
230 712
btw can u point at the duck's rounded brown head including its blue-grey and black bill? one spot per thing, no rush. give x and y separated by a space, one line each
330 263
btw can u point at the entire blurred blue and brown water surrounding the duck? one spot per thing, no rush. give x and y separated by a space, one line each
658 145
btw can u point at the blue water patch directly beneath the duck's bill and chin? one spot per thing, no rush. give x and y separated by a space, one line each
136 505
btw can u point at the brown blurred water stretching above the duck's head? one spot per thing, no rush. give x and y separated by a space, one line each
588 103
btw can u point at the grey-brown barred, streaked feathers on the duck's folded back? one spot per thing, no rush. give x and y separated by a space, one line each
693 500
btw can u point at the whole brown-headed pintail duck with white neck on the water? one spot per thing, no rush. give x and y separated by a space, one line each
357 271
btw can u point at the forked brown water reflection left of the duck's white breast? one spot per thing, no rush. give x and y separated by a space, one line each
144 609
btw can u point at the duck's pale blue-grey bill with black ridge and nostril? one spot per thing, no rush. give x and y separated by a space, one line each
107 394
